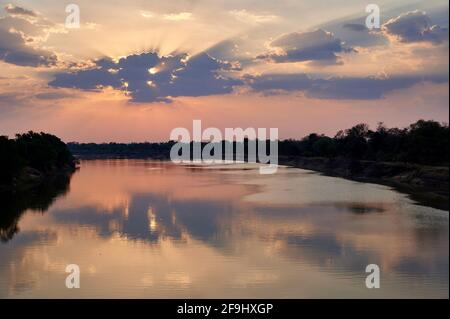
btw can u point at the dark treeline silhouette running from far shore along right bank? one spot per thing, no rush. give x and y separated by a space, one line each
424 142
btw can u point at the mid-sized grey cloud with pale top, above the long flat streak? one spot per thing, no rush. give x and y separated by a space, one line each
317 45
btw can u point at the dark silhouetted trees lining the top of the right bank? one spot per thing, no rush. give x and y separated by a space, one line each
424 142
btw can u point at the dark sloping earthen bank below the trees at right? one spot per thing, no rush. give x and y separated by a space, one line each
428 185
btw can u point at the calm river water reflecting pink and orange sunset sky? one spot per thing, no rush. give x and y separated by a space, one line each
153 229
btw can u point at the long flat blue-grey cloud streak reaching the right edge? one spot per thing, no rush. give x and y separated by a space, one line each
351 88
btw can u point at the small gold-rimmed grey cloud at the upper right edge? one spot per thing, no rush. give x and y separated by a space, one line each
415 26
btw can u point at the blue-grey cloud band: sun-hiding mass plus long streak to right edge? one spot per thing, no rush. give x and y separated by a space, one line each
148 77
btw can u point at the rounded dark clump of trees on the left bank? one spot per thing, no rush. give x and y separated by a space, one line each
41 153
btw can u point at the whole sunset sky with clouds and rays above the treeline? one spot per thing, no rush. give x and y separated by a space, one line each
134 69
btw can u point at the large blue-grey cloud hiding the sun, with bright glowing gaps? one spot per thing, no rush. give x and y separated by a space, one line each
148 77
